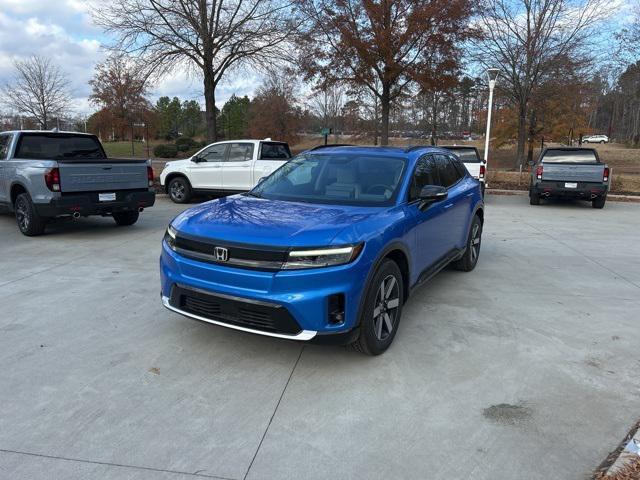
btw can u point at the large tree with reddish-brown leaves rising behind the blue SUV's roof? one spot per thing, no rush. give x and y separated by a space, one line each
384 45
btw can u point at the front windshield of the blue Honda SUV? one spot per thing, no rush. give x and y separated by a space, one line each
347 179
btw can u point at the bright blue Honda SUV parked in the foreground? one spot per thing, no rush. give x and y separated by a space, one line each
328 247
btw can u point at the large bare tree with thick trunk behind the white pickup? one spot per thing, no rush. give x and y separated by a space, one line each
210 36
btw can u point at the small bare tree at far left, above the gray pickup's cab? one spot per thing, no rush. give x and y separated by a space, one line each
38 90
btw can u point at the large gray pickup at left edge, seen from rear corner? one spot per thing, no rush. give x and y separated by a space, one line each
49 174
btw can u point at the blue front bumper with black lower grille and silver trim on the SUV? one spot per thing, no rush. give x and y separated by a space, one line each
301 295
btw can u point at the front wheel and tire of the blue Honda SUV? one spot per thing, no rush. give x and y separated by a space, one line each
377 332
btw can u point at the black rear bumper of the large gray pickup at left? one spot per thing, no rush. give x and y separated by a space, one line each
88 203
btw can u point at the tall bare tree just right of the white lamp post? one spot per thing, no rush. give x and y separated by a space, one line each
526 38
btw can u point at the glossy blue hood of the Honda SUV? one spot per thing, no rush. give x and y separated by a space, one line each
246 219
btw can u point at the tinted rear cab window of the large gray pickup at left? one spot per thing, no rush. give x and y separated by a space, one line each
57 146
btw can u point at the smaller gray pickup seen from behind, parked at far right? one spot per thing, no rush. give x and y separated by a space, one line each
569 172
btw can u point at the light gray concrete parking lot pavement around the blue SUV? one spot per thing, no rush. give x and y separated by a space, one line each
525 368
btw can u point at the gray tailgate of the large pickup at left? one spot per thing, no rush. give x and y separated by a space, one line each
102 176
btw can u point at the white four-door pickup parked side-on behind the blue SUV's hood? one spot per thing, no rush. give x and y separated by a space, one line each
223 167
